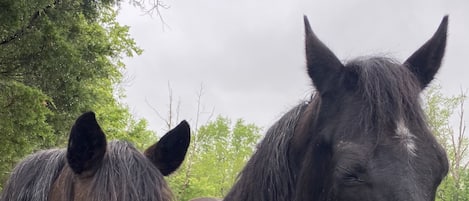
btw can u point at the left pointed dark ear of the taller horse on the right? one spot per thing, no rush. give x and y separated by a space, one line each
323 66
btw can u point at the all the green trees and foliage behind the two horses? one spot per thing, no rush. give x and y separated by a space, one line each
59 58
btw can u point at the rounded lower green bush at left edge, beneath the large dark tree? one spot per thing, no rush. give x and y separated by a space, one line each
23 123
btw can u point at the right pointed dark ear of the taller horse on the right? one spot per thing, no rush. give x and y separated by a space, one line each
426 61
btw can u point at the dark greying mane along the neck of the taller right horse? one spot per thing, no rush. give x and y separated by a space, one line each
269 166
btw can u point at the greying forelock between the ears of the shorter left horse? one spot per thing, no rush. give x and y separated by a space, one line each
138 179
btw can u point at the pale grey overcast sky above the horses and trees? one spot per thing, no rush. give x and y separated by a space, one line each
248 55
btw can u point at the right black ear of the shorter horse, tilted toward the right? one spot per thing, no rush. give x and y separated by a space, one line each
169 153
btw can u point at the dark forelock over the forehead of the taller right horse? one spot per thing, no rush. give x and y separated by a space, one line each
391 105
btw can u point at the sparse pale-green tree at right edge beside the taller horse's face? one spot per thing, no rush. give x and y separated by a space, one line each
441 110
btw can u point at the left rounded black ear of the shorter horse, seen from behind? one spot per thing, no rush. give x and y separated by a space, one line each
86 145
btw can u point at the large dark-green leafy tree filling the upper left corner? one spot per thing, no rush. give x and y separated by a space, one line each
68 50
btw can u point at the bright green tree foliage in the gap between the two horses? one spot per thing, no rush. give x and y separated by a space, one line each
220 149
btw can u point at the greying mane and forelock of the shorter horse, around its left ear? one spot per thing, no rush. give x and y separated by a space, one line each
125 174
